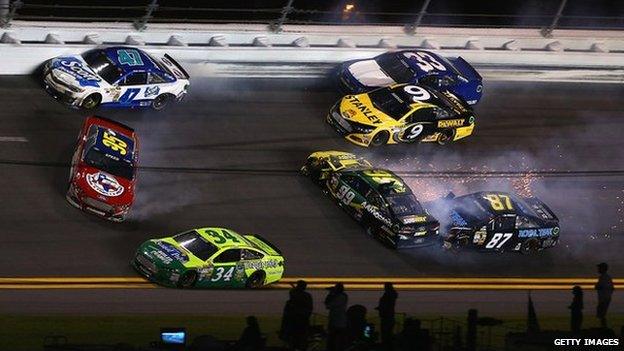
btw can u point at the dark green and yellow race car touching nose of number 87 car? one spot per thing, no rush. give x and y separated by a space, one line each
377 198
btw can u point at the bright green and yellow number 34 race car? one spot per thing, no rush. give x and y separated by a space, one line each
210 258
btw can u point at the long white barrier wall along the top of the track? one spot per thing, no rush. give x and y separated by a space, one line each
200 47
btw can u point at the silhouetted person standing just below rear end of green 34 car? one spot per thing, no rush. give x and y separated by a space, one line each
301 308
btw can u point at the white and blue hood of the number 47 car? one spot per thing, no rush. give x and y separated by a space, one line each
73 70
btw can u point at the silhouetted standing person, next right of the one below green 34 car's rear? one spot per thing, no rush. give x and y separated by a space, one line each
336 302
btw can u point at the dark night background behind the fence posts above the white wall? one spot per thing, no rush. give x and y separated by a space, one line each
516 13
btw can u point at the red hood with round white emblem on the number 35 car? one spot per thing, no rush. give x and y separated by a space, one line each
104 186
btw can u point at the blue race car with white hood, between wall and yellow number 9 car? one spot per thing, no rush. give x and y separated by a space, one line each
414 67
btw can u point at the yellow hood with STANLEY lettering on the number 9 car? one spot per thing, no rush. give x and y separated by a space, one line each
360 109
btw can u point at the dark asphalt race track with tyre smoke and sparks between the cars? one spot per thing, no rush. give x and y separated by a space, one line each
229 155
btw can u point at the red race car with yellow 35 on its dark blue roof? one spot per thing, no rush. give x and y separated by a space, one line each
103 169
